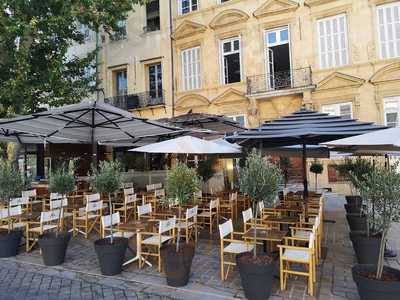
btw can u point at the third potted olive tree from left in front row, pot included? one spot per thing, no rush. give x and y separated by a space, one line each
110 251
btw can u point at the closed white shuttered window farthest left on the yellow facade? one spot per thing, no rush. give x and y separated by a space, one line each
191 69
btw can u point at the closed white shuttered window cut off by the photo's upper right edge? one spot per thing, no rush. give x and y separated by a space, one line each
389 29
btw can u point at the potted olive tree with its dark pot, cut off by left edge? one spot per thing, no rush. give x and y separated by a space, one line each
11 185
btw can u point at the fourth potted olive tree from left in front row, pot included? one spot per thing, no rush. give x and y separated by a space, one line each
181 183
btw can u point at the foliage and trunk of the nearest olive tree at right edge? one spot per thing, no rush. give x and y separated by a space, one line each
380 190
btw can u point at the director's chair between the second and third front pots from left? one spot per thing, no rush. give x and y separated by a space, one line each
86 219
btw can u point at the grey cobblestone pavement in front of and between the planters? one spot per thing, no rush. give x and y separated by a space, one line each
80 274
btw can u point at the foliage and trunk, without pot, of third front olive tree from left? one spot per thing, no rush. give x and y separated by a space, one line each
107 179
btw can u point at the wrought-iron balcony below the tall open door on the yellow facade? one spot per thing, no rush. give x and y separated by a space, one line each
279 83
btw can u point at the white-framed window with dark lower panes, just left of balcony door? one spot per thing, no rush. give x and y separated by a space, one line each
230 61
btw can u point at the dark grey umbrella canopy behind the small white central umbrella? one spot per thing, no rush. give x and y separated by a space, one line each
216 123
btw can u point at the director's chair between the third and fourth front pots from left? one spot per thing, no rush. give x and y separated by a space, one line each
155 240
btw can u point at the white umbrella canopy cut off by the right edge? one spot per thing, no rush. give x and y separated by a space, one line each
382 141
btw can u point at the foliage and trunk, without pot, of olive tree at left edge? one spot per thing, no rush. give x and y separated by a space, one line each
11 184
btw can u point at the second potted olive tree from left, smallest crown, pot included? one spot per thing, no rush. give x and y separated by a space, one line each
54 244
